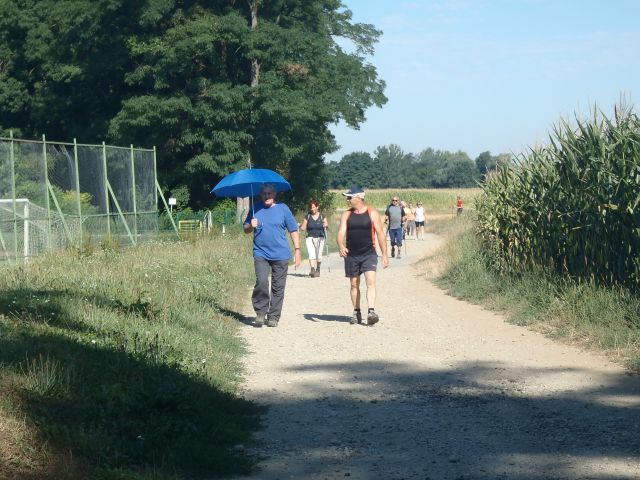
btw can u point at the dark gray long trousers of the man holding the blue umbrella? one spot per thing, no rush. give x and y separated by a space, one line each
263 302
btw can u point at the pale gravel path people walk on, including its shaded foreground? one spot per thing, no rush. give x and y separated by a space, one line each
439 389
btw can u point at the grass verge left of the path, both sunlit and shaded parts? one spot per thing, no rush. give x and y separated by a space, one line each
125 365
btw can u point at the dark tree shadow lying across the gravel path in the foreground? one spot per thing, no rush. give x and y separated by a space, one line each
384 420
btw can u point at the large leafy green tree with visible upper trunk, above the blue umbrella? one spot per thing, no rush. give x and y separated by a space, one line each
258 81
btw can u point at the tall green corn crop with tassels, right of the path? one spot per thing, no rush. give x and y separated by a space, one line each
573 206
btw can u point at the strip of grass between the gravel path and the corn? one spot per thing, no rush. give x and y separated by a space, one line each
603 319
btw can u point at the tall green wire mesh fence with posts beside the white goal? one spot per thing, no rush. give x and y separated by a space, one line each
57 195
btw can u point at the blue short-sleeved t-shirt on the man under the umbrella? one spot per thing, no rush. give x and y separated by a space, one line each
270 238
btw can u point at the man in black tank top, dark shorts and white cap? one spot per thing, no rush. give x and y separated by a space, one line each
359 228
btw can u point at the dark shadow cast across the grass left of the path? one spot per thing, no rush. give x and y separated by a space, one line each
100 408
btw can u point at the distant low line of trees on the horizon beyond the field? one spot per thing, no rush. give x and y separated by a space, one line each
391 167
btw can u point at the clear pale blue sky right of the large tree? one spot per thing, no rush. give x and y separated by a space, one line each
496 75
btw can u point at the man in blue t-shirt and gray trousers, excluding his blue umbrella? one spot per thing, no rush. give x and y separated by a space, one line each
269 221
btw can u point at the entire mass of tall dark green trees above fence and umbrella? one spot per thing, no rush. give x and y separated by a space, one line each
213 83
